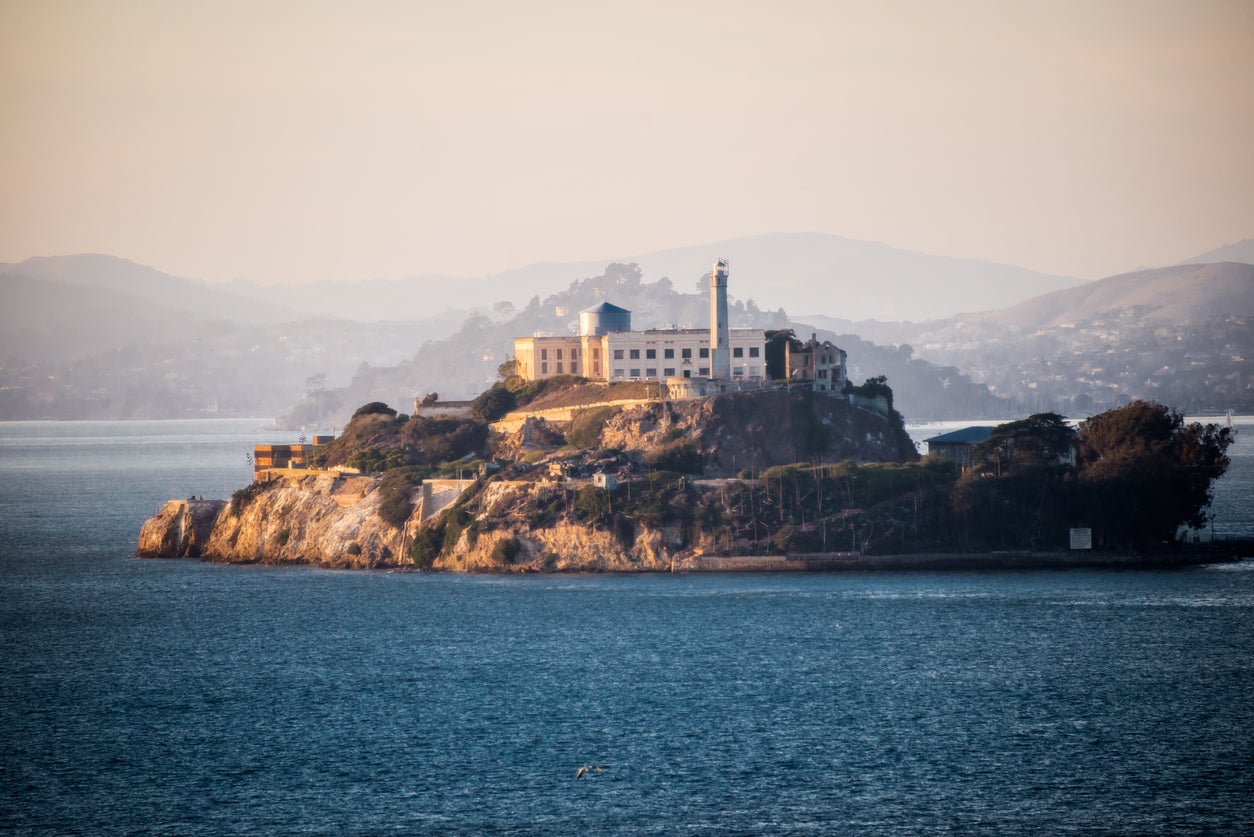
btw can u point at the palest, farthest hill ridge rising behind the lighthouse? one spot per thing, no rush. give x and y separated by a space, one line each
804 274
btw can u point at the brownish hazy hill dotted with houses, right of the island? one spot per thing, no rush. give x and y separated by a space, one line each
1178 336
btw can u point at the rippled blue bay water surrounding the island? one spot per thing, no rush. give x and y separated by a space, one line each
182 698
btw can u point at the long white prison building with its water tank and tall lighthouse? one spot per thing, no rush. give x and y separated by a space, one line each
608 349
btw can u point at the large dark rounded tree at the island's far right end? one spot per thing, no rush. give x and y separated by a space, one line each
1144 474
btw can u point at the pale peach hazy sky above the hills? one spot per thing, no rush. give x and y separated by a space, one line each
300 141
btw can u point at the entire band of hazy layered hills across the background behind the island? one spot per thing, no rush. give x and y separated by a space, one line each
97 337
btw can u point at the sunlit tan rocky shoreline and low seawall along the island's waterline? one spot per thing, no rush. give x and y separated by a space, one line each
333 524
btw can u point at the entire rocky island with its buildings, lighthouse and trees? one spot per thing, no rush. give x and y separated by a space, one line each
697 450
